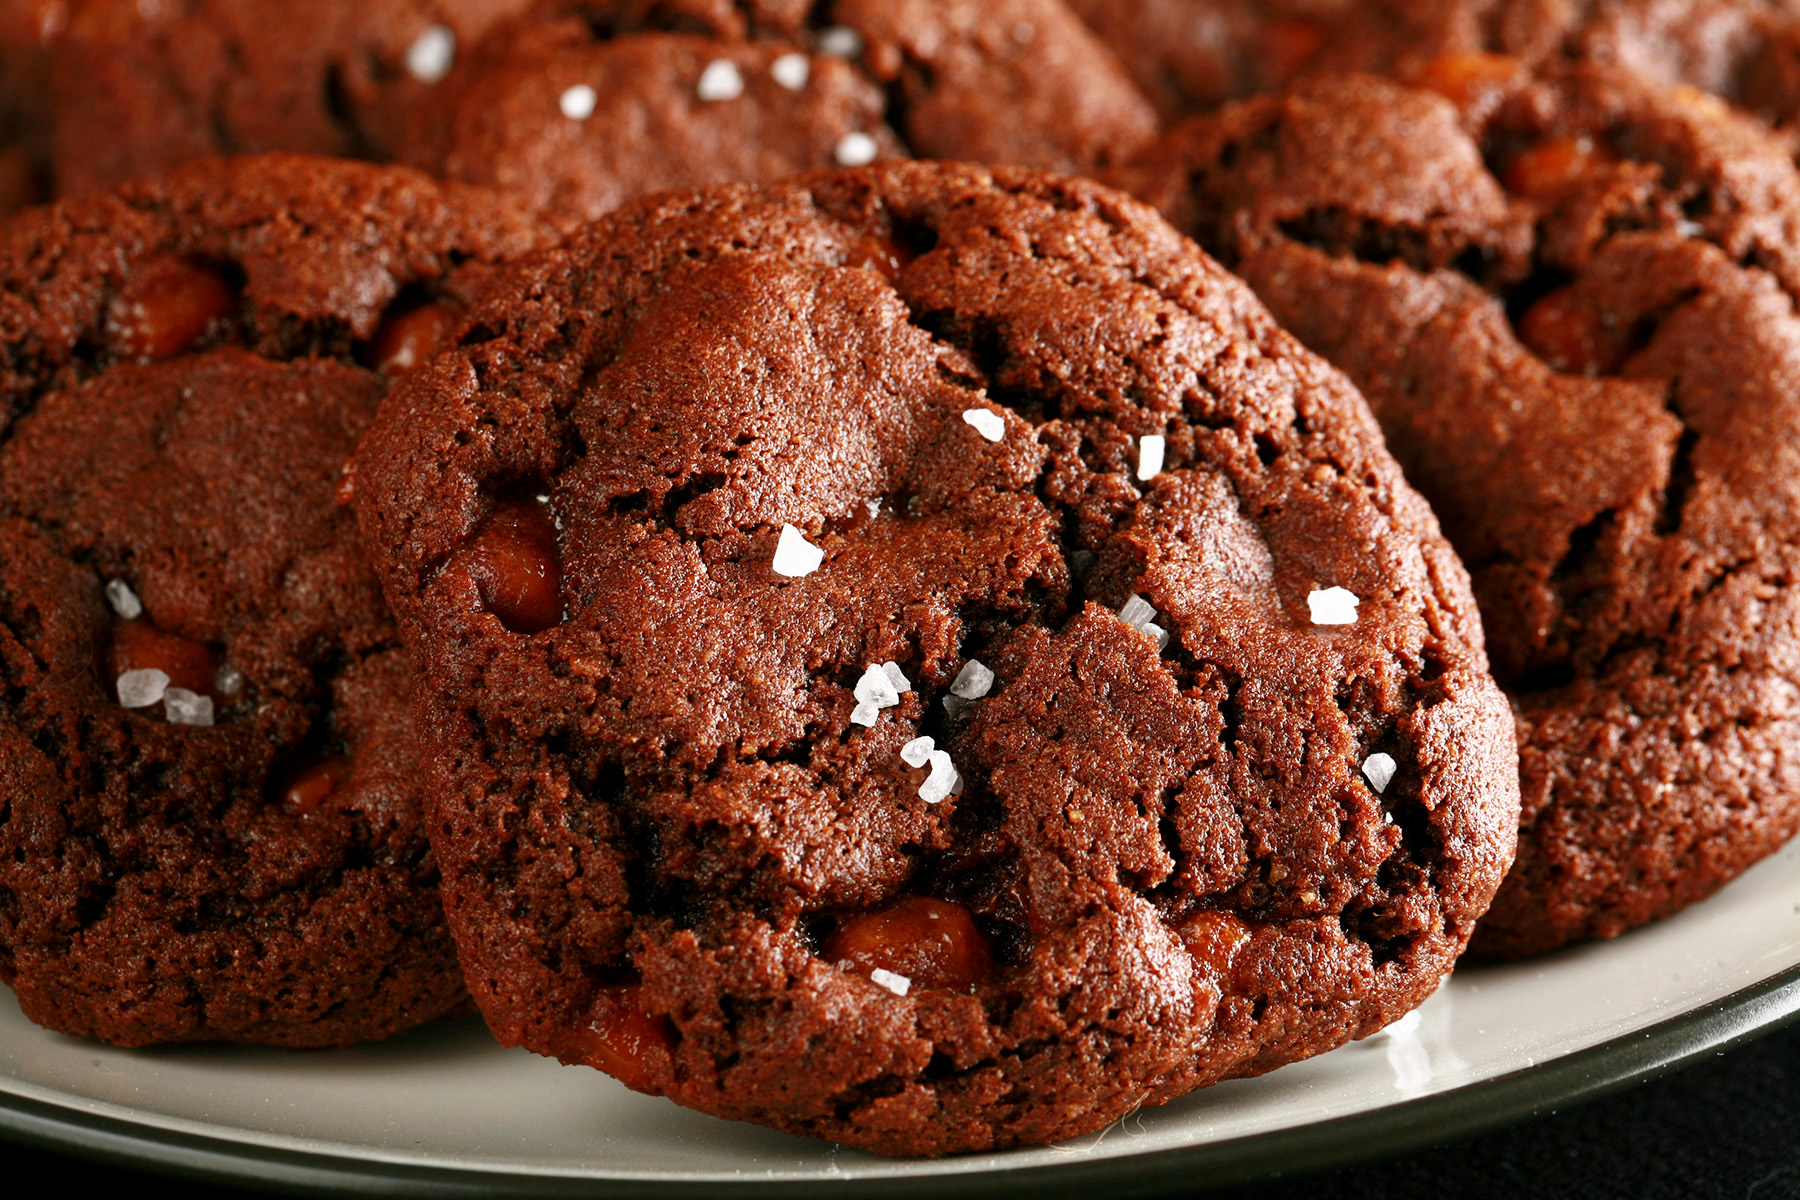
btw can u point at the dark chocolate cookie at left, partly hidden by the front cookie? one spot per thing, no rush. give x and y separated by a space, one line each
210 814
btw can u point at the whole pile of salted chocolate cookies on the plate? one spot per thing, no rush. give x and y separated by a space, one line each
924 575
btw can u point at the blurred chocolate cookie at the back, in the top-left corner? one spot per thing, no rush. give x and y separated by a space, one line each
143 87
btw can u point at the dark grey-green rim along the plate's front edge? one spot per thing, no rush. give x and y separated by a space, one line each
1358 1138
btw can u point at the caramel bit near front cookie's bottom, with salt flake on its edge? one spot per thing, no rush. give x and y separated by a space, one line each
917 942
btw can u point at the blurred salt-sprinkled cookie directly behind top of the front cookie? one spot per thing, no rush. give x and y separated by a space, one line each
586 105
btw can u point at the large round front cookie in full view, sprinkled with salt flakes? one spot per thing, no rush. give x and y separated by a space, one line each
917 658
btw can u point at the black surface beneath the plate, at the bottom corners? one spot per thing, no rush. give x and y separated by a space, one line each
1727 1127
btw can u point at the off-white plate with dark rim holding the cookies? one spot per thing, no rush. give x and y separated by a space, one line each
444 1109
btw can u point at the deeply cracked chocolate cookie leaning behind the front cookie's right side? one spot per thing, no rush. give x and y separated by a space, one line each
1570 307
